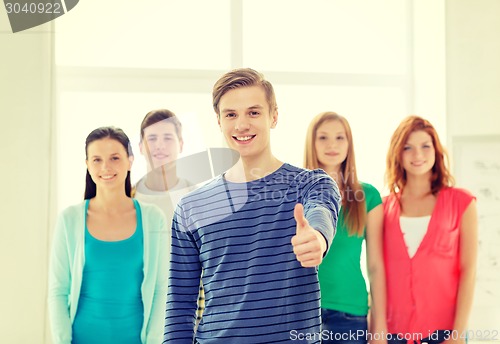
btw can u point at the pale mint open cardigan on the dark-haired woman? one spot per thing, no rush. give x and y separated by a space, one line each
66 269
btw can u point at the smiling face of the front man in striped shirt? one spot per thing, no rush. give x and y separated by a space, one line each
245 120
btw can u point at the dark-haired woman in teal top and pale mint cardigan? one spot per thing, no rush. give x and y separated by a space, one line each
108 266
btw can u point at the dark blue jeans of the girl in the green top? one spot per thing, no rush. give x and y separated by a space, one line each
342 328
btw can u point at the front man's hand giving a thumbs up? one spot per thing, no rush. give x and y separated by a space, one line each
308 244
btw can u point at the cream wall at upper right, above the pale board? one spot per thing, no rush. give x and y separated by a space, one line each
473 67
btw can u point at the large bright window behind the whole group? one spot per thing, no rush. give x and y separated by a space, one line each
355 57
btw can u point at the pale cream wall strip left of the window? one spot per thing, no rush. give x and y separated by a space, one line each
26 138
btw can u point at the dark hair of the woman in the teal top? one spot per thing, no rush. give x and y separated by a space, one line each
102 133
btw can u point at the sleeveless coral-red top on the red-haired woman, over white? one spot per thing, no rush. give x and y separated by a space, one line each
422 290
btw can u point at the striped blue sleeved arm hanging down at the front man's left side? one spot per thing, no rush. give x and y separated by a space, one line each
184 284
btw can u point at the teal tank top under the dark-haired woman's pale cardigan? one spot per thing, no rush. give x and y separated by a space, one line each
110 308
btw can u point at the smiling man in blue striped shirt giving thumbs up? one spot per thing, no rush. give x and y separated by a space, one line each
258 232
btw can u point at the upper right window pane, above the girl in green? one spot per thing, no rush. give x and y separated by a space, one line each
342 36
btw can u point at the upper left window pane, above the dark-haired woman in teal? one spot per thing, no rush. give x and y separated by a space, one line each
146 34
